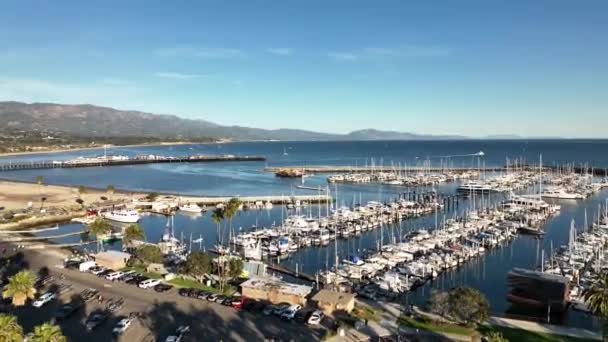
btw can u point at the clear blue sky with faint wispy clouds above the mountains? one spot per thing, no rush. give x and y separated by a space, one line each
454 66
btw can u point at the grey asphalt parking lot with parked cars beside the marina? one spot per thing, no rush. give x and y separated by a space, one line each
160 313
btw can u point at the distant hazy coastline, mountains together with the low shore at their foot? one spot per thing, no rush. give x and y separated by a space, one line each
40 127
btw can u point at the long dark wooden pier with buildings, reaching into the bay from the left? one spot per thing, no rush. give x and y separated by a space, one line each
66 164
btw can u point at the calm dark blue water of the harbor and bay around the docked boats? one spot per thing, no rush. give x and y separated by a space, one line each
488 273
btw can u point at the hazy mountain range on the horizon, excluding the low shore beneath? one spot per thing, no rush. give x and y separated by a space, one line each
95 121
